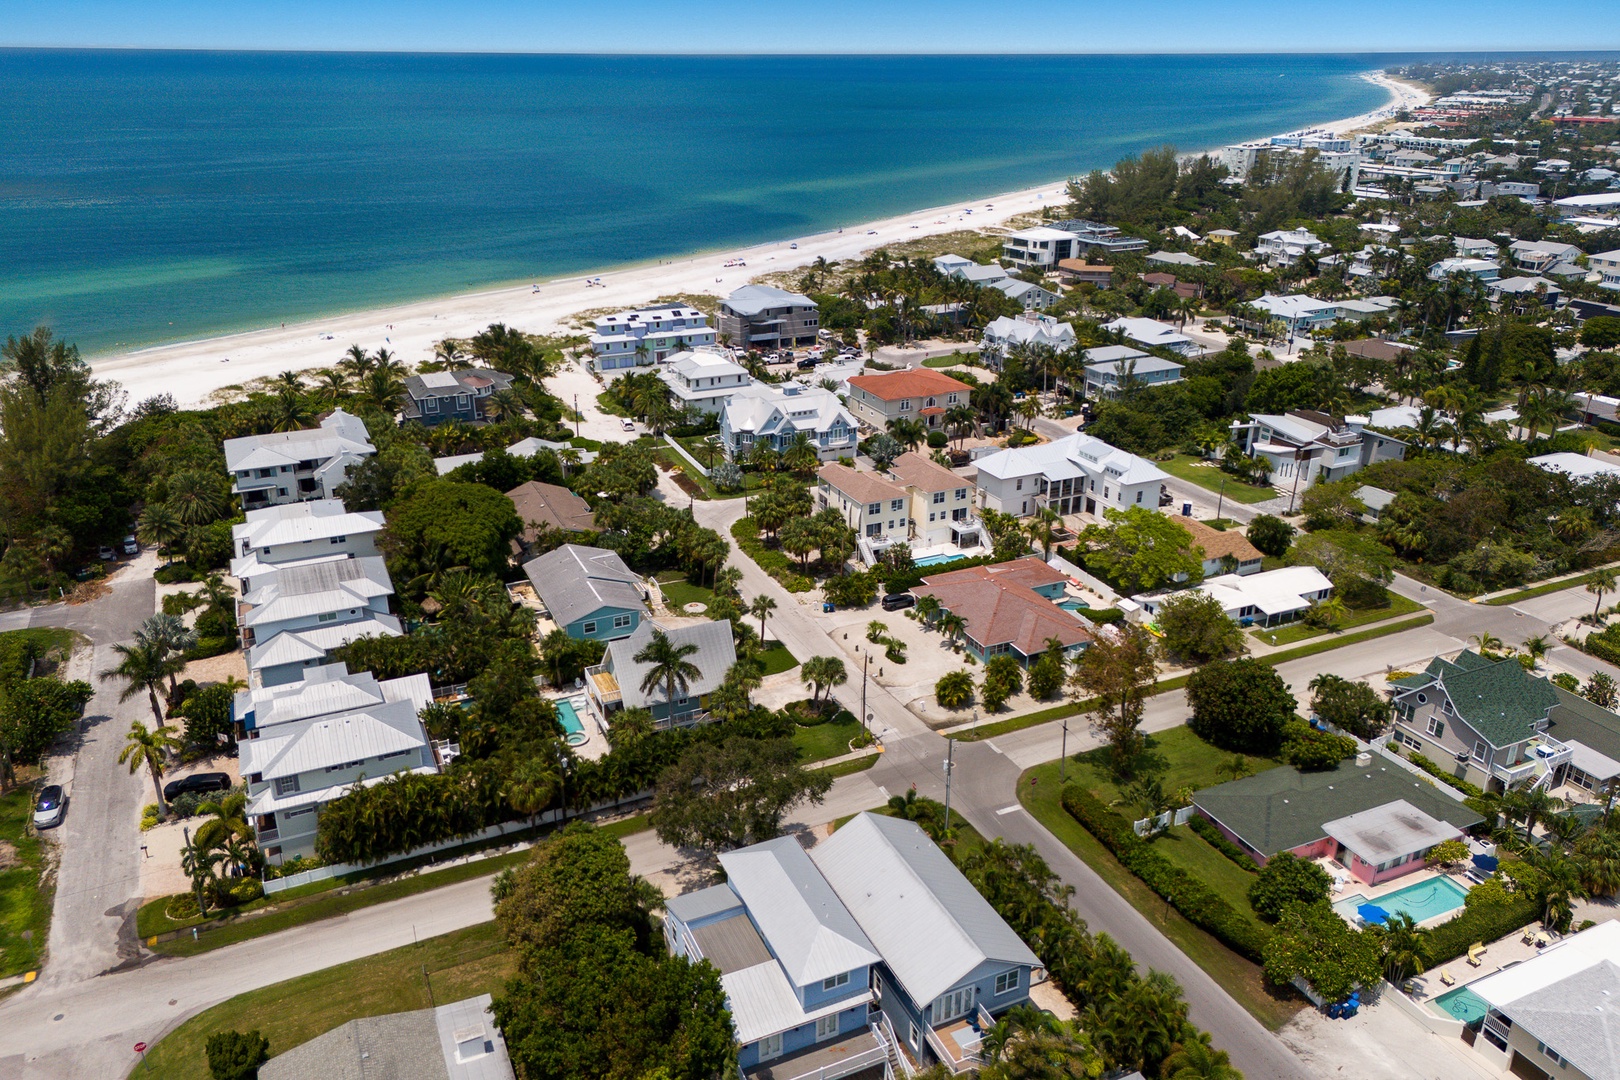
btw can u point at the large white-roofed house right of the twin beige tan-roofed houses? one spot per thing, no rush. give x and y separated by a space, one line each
1072 475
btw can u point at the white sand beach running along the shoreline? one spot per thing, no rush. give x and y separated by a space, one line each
195 370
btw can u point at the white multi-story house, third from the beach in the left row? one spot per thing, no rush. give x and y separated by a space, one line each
296 616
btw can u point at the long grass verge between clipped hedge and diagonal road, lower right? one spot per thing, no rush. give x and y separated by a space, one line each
1039 793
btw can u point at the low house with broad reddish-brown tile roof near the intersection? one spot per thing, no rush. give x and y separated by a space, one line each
1008 608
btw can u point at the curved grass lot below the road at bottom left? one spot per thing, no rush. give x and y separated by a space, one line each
469 963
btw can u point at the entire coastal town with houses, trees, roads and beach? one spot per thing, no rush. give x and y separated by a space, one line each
1159 629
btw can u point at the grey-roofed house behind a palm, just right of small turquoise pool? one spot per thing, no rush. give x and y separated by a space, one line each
616 682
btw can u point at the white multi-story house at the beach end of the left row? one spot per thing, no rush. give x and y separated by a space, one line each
297 466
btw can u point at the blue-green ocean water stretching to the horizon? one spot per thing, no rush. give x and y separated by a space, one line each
151 197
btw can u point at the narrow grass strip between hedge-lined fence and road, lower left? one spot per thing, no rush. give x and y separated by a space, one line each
328 899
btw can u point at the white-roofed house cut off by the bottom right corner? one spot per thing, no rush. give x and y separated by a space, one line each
1559 1013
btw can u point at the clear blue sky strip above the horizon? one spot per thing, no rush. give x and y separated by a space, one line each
825 27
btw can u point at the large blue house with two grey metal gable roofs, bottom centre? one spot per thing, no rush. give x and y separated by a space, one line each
866 951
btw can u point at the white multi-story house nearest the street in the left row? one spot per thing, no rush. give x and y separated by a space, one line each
309 742
